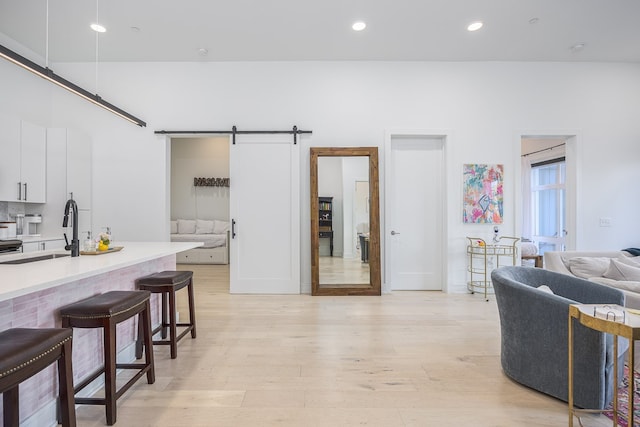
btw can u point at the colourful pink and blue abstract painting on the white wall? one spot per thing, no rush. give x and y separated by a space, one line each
482 192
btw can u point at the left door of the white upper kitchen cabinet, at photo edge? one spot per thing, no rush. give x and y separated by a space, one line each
9 157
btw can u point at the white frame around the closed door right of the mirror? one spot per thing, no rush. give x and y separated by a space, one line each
446 136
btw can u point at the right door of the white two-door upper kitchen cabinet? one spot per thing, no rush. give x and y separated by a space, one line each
33 163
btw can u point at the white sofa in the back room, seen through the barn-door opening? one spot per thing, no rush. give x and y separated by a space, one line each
214 235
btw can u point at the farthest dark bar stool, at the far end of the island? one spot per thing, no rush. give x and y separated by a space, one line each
167 283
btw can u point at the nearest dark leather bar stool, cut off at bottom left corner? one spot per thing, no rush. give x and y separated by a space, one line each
25 352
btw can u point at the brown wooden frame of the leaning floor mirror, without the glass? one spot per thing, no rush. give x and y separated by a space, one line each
374 286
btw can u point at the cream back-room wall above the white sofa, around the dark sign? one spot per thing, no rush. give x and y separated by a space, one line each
199 158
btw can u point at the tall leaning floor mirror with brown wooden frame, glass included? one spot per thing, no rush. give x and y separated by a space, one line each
345 221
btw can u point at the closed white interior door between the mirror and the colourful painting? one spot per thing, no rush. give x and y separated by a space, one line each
414 220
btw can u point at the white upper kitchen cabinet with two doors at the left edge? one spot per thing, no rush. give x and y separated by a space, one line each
22 161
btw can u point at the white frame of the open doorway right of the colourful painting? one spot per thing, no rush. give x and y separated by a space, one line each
573 156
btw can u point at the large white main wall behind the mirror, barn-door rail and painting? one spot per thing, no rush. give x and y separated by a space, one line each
484 106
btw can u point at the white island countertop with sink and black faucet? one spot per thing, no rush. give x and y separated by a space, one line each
22 279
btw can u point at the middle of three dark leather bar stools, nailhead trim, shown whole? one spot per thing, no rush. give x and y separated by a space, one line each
106 311
